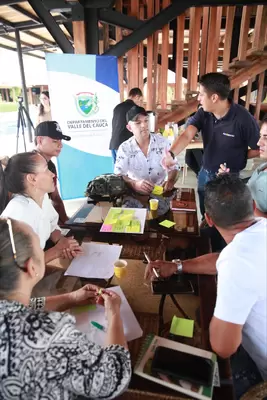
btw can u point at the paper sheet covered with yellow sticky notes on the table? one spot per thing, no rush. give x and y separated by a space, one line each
125 220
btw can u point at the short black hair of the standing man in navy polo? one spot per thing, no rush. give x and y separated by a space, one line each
216 83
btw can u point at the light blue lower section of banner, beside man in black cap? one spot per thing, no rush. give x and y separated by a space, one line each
76 168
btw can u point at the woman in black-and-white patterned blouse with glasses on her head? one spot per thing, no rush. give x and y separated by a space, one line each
43 355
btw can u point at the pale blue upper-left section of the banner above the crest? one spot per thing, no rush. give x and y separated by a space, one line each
78 64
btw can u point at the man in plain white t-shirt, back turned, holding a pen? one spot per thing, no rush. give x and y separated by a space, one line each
240 315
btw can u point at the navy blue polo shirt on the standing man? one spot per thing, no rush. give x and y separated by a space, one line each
226 140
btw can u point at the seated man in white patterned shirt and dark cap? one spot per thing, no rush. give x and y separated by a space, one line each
139 161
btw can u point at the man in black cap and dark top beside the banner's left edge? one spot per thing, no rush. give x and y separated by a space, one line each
48 140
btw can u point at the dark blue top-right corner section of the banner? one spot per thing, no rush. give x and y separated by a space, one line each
107 71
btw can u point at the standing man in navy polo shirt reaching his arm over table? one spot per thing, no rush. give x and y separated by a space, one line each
228 130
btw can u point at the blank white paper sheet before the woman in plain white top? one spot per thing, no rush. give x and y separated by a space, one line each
96 262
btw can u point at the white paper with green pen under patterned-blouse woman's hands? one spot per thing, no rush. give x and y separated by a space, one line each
132 329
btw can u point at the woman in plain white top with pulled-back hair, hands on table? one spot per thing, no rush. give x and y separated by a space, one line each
28 179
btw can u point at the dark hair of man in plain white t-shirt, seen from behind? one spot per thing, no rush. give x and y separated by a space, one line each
228 201
